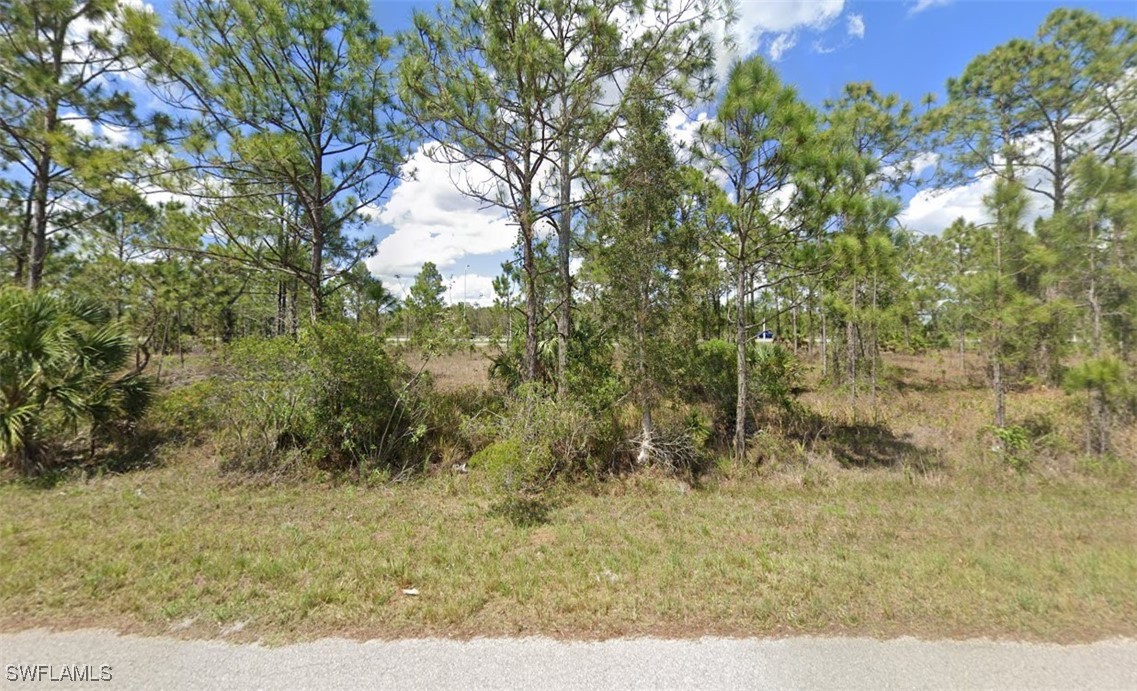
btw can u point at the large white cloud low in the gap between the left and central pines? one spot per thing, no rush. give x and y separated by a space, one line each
433 221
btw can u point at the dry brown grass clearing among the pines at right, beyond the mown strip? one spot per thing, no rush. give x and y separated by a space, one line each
932 417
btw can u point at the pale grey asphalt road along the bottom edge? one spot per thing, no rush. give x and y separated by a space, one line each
801 663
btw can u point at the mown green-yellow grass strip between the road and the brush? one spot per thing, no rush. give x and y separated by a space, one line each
872 553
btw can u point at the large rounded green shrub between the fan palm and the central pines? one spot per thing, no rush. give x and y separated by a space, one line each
334 398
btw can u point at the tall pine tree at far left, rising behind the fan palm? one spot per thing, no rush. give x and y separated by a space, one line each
61 70
